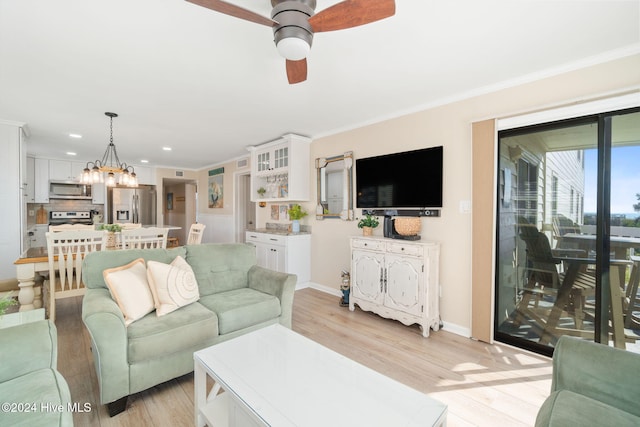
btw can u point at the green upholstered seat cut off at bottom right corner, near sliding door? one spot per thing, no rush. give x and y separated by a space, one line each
592 385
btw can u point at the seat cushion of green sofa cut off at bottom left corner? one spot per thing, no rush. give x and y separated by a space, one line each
44 391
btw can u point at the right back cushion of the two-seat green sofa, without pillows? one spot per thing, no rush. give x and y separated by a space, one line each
220 267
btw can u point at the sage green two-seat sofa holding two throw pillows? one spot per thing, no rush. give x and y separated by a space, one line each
236 297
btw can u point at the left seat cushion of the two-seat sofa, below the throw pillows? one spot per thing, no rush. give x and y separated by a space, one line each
152 337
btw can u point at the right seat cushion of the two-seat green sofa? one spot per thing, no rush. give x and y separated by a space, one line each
240 308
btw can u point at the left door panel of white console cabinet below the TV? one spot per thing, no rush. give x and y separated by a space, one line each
368 268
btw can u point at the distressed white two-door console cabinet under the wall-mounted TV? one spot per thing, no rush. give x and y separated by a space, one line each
397 280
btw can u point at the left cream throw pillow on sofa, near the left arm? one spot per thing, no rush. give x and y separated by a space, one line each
129 287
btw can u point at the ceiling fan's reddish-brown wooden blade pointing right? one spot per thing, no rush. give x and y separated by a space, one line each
352 13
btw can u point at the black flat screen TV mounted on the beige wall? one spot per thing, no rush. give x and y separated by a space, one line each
411 179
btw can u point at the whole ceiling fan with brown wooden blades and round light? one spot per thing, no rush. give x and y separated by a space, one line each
294 23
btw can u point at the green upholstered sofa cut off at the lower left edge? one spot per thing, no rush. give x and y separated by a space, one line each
32 391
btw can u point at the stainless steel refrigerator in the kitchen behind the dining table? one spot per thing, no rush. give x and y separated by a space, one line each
132 205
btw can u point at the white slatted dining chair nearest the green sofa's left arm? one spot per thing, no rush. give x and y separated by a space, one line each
65 252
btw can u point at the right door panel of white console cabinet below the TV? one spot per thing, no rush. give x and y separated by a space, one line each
404 284
